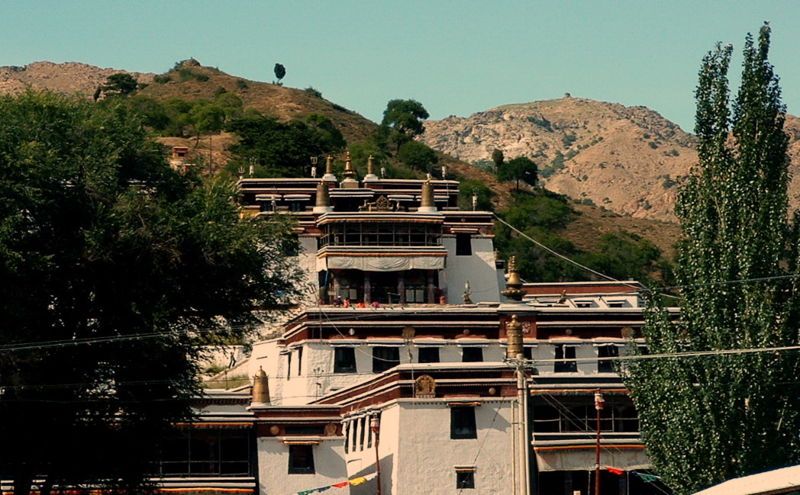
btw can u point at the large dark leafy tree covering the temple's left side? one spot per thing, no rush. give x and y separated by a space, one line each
125 268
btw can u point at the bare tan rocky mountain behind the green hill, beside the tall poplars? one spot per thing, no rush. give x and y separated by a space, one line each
625 159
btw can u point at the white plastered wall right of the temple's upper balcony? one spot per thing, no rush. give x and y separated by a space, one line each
478 268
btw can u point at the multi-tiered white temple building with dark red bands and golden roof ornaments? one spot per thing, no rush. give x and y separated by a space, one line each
420 362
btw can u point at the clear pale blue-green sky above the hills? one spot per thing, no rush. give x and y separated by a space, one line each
455 57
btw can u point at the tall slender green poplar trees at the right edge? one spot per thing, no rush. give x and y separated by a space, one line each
712 418
